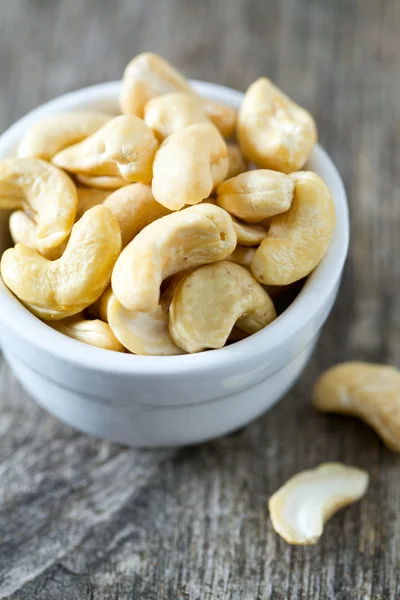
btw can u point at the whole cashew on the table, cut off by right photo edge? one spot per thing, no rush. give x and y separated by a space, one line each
368 391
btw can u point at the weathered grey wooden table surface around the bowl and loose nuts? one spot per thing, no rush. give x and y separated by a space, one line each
84 519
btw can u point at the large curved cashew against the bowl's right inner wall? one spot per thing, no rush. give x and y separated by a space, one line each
299 238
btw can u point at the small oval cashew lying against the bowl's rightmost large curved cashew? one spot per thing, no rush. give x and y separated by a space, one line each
256 195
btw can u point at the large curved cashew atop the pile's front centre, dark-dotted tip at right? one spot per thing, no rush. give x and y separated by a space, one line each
180 241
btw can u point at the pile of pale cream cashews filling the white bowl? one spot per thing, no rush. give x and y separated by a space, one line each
148 231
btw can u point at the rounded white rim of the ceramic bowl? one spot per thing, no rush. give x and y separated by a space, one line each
315 294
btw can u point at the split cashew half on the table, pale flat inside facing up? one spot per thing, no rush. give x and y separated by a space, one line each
300 508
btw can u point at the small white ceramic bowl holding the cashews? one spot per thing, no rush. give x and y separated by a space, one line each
164 401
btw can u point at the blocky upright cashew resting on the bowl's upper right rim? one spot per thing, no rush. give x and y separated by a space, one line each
273 131
